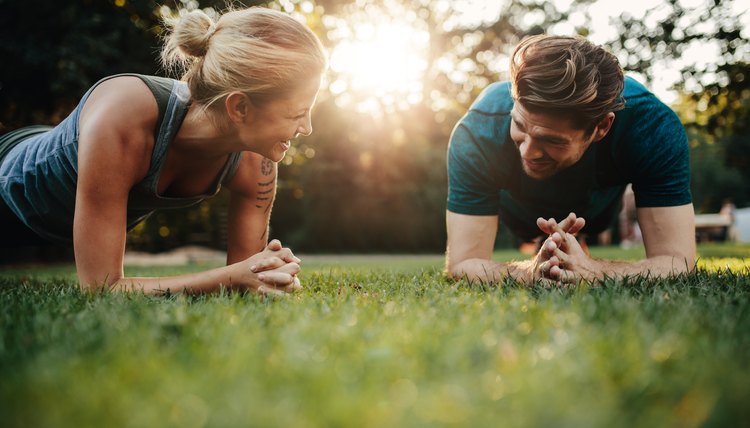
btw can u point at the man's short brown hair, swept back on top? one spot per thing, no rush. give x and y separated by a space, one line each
567 76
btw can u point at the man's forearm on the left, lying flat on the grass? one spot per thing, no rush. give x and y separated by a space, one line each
487 271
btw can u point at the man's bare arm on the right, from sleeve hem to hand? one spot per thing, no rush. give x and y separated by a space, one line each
669 239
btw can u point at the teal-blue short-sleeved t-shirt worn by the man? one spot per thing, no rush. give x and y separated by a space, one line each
646 146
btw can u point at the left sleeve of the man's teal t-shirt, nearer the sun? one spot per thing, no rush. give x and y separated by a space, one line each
473 179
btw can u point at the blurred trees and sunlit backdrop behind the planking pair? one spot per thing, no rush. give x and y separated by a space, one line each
372 177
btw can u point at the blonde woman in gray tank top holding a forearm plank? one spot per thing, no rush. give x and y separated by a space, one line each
139 143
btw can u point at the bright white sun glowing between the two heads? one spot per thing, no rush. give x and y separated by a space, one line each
378 61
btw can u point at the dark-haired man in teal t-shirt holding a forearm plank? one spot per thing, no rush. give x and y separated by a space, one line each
562 140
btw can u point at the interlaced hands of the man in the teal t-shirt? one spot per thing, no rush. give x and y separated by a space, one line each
561 257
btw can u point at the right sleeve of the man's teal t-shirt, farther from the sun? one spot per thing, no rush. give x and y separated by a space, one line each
662 161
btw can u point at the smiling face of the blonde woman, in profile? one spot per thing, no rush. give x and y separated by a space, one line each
273 125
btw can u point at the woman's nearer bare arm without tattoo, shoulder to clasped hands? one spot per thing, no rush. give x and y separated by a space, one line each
114 153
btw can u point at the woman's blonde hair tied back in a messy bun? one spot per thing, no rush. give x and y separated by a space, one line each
261 52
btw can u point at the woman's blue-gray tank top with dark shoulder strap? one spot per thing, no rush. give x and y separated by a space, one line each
39 169
